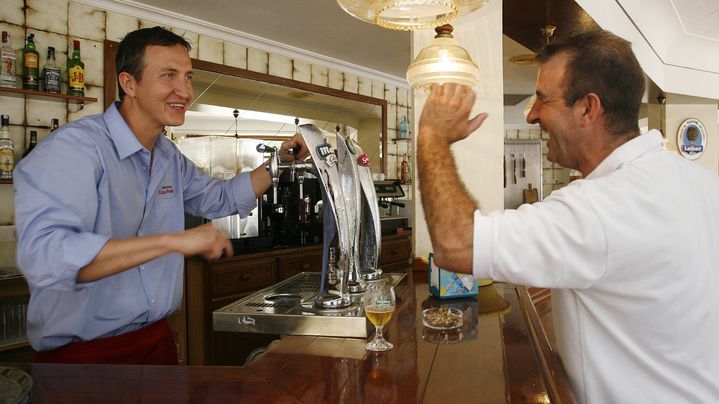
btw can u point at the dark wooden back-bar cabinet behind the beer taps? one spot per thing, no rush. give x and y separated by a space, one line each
212 285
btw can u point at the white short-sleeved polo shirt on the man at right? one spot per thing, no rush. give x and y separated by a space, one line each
633 254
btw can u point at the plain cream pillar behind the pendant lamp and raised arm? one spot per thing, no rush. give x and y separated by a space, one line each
479 157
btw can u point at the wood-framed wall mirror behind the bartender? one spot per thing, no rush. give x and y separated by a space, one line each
266 108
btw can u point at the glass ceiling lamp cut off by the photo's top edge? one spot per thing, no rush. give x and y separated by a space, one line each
409 15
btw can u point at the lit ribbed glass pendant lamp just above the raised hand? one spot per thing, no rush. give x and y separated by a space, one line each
442 61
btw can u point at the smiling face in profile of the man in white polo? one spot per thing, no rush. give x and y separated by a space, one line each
552 114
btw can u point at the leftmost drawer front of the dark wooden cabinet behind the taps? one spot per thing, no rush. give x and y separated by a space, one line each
234 278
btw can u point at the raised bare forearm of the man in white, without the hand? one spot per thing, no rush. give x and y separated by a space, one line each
448 207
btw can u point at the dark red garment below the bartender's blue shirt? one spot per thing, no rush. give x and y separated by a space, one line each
152 344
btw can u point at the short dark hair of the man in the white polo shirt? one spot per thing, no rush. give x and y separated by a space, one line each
604 64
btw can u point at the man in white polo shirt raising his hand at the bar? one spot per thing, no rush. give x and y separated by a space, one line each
631 251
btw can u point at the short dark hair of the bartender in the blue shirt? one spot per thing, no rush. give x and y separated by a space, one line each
131 51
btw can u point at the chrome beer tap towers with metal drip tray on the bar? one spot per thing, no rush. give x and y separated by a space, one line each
308 303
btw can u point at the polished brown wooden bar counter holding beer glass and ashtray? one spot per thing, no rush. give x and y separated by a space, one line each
503 356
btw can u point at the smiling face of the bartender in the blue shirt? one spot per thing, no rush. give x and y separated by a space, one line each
161 97
